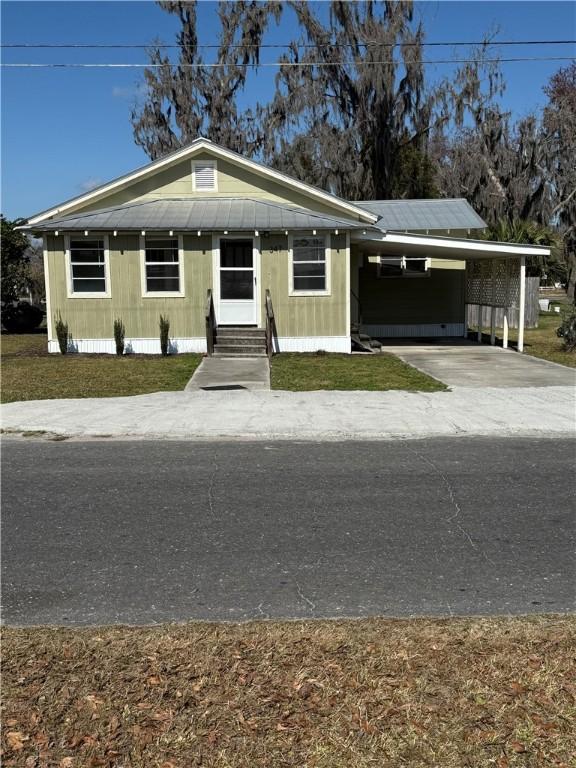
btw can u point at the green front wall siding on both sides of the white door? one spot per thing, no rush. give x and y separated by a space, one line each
94 318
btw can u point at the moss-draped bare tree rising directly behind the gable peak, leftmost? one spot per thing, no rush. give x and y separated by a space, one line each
190 99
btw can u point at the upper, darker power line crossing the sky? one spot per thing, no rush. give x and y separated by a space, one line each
287 45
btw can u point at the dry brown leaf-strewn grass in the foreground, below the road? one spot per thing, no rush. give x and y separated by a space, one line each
327 694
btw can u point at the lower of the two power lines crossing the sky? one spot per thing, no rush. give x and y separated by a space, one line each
283 63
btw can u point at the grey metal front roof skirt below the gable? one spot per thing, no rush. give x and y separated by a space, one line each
202 214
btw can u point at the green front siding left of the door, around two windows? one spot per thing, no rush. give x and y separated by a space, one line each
94 318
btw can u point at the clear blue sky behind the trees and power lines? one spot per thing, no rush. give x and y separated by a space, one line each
65 130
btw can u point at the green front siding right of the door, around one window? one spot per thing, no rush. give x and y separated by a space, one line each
304 315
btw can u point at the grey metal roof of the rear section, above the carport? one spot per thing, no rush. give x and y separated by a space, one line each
424 215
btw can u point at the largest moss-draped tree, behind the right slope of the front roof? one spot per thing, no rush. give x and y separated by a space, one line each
353 112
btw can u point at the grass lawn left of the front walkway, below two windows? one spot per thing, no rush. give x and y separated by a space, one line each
30 373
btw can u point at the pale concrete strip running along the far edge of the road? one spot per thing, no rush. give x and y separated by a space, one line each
303 415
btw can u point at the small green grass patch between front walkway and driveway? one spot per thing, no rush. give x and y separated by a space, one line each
309 371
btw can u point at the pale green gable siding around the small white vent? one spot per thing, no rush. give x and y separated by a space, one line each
233 181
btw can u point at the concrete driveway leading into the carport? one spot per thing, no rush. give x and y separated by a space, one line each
462 363
